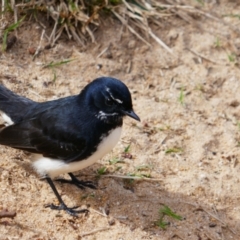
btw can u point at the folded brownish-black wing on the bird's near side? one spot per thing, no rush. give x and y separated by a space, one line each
47 133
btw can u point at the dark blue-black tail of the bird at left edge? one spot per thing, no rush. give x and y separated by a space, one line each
13 105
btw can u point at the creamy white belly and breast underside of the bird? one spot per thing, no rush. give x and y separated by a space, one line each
55 167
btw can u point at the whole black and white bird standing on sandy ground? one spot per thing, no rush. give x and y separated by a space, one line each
67 134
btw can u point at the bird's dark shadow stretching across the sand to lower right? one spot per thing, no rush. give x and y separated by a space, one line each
138 203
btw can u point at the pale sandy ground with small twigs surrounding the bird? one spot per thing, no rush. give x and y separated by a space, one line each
188 102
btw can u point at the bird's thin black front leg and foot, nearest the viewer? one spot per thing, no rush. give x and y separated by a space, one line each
62 205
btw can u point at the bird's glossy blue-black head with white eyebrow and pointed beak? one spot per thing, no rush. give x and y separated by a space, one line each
110 98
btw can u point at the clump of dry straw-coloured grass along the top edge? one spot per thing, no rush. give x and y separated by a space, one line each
79 19
